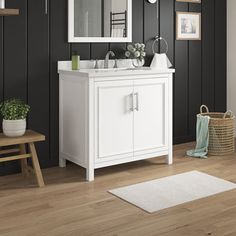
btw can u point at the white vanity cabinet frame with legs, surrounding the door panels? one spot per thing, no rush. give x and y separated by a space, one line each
79 125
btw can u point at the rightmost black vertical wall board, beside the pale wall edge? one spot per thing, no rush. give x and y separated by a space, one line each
220 54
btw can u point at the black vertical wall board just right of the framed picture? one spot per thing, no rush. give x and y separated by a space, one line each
208 53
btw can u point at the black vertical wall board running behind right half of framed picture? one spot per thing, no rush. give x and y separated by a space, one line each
195 79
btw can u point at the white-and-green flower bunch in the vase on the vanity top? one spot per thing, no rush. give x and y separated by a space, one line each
136 51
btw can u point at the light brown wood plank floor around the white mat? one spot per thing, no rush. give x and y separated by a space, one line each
70 206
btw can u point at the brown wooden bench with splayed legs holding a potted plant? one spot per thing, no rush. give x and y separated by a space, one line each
29 139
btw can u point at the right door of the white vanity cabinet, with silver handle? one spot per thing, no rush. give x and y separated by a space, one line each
150 116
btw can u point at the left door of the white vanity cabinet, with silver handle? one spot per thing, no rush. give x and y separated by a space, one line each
113 121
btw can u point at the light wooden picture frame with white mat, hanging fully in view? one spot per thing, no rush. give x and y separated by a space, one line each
188 25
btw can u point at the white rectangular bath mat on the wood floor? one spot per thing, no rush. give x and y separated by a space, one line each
170 191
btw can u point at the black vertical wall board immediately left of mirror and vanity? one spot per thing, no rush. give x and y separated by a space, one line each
58 39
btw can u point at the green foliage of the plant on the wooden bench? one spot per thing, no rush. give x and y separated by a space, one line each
14 109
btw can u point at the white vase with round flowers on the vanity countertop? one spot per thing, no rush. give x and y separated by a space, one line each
137 52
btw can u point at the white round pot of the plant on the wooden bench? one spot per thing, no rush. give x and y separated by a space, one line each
14 128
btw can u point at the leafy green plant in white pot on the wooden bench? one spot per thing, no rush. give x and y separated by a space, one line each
14 113
